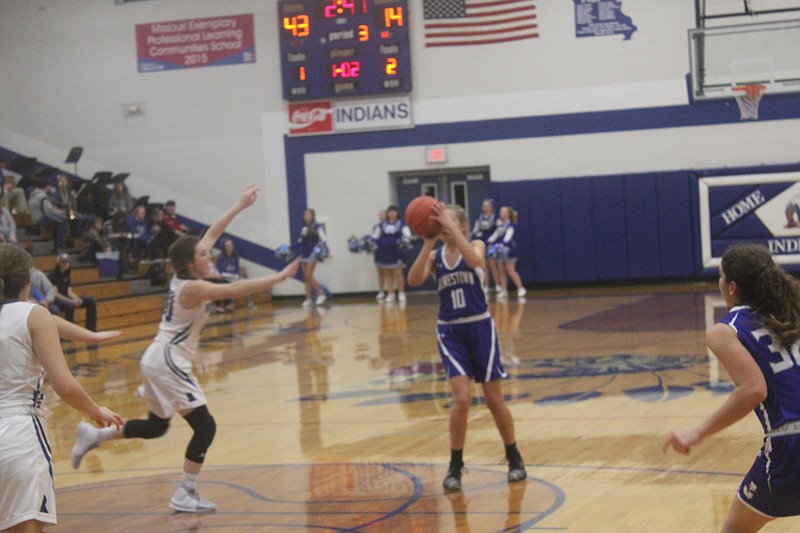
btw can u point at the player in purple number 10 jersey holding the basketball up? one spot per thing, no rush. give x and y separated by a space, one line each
467 337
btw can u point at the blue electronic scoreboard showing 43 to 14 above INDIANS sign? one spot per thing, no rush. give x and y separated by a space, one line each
340 48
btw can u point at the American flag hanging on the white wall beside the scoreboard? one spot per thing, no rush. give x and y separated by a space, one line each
468 22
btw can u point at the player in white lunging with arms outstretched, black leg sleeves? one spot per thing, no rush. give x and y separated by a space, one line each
169 386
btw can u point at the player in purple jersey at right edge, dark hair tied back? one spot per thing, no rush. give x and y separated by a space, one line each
758 343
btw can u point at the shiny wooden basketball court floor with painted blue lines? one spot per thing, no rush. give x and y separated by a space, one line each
335 419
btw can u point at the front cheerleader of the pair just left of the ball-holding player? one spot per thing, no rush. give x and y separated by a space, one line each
387 235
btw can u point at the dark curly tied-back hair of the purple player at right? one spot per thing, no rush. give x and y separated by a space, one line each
766 288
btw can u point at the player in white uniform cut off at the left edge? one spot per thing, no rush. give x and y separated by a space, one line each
30 348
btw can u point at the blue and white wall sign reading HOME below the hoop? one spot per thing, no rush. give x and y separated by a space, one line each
760 208
